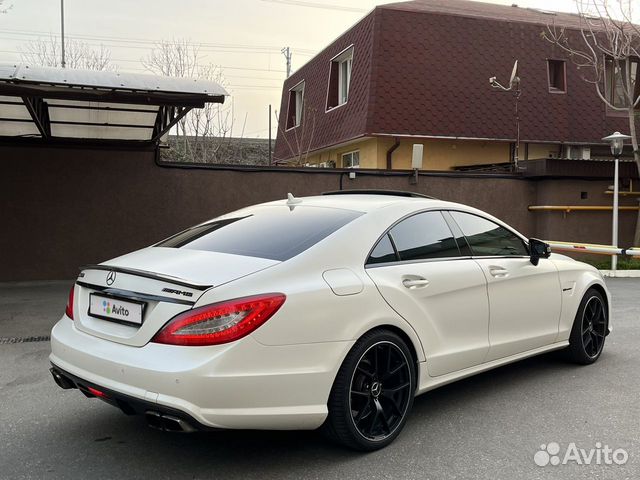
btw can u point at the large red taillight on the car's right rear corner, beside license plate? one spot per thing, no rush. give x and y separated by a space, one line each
220 322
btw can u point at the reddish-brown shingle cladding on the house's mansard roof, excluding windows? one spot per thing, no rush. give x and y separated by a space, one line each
422 68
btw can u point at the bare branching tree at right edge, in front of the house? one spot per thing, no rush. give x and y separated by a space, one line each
606 51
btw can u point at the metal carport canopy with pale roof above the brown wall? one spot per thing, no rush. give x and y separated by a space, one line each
66 105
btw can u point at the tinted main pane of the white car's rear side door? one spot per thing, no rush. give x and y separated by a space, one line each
424 236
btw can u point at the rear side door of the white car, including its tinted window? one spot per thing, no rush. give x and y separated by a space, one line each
424 276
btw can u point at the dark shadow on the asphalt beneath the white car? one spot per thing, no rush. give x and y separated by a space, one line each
127 437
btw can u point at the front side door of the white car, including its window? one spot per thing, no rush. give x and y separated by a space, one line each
524 299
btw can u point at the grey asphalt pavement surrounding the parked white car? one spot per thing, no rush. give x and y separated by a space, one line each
491 426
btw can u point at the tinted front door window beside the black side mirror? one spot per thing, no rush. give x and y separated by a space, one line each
487 238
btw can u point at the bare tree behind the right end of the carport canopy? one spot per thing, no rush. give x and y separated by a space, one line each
204 134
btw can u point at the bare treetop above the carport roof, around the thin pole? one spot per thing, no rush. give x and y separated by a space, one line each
77 54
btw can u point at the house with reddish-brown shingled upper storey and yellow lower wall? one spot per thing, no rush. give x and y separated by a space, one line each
418 72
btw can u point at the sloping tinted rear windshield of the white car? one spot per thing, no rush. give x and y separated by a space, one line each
276 233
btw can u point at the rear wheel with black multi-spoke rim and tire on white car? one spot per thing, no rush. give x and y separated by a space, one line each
373 392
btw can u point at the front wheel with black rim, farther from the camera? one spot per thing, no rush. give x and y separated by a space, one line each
589 329
